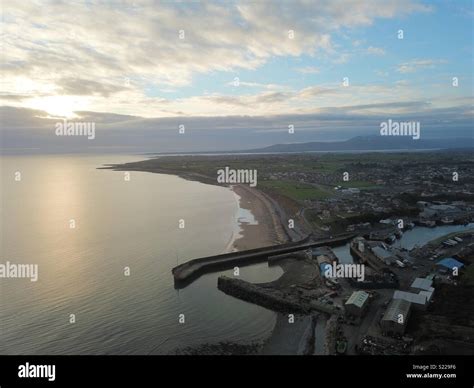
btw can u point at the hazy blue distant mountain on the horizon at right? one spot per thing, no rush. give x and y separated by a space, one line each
371 143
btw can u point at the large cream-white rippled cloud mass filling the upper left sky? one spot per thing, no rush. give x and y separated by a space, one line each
88 49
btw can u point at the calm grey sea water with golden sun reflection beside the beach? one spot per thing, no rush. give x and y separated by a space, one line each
118 224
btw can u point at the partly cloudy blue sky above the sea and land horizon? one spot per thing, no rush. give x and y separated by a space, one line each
237 70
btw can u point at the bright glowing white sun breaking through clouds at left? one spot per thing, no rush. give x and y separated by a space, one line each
59 106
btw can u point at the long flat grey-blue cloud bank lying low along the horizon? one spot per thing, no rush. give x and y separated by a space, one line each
24 128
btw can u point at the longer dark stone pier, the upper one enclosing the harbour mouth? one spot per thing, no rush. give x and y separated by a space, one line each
186 273
